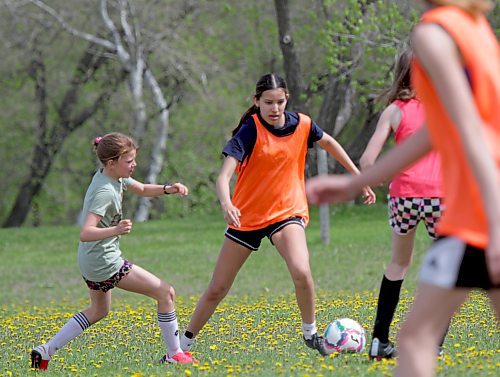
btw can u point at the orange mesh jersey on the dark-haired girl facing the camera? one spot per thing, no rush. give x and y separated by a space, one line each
271 182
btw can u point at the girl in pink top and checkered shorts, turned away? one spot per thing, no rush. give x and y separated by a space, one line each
414 195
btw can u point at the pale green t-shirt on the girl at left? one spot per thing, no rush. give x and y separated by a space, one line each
99 260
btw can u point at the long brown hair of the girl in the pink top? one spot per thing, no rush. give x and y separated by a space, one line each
401 86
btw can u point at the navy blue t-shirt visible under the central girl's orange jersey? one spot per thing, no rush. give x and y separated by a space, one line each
240 146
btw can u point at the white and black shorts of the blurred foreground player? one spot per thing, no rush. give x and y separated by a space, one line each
452 263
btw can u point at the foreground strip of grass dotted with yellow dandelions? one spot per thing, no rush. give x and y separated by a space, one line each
257 336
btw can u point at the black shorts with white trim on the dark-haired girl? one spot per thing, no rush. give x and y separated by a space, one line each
251 238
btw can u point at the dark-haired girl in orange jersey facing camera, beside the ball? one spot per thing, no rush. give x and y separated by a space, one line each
268 151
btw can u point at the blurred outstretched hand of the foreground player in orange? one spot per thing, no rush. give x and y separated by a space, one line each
325 189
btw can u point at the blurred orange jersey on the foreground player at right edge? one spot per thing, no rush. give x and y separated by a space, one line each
465 215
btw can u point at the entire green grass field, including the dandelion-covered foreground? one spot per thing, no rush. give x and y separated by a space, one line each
255 331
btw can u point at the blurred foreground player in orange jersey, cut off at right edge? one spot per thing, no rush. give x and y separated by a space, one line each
457 77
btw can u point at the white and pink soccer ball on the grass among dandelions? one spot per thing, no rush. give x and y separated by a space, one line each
344 335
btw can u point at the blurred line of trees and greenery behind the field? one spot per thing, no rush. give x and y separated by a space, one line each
176 75
